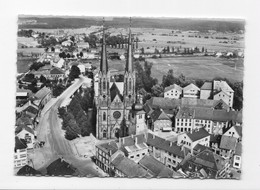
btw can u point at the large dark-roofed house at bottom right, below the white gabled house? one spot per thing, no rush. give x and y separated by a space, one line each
205 164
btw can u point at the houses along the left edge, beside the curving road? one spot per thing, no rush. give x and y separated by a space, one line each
28 110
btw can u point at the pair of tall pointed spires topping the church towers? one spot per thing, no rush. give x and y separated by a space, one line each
104 63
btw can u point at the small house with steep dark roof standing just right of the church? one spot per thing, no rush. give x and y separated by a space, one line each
160 121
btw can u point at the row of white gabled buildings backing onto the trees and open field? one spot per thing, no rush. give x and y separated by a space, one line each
216 90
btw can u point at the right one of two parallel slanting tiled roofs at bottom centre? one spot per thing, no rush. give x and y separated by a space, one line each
155 167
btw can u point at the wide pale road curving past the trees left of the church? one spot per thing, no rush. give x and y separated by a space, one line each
56 146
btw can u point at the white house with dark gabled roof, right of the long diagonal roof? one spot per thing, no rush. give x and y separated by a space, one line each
194 137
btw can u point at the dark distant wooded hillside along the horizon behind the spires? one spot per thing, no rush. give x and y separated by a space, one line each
170 23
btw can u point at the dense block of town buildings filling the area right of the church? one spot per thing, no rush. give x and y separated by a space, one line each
189 134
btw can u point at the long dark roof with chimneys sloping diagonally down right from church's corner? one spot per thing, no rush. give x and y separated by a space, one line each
166 145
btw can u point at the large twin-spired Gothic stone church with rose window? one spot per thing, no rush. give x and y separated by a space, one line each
119 111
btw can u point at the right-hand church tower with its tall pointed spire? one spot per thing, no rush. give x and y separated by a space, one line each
129 77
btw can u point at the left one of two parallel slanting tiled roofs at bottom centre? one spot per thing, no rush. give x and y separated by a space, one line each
128 167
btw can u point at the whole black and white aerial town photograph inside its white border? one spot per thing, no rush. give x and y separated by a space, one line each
129 97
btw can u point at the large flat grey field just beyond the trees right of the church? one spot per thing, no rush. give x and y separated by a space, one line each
199 67
